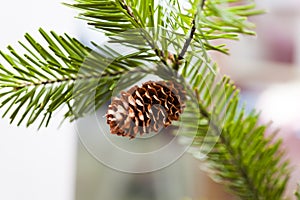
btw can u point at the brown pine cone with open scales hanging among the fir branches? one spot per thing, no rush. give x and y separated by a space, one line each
145 109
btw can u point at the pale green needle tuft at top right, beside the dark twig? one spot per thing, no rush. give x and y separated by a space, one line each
218 20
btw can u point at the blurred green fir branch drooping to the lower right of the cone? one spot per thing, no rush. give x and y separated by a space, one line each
241 149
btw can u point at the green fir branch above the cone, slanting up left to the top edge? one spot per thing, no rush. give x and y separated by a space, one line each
126 14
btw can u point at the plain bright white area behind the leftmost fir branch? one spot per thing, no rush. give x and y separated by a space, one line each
36 165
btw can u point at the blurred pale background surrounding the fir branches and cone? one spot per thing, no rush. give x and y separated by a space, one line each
53 164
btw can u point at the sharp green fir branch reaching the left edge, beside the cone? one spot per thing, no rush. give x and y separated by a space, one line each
42 80
